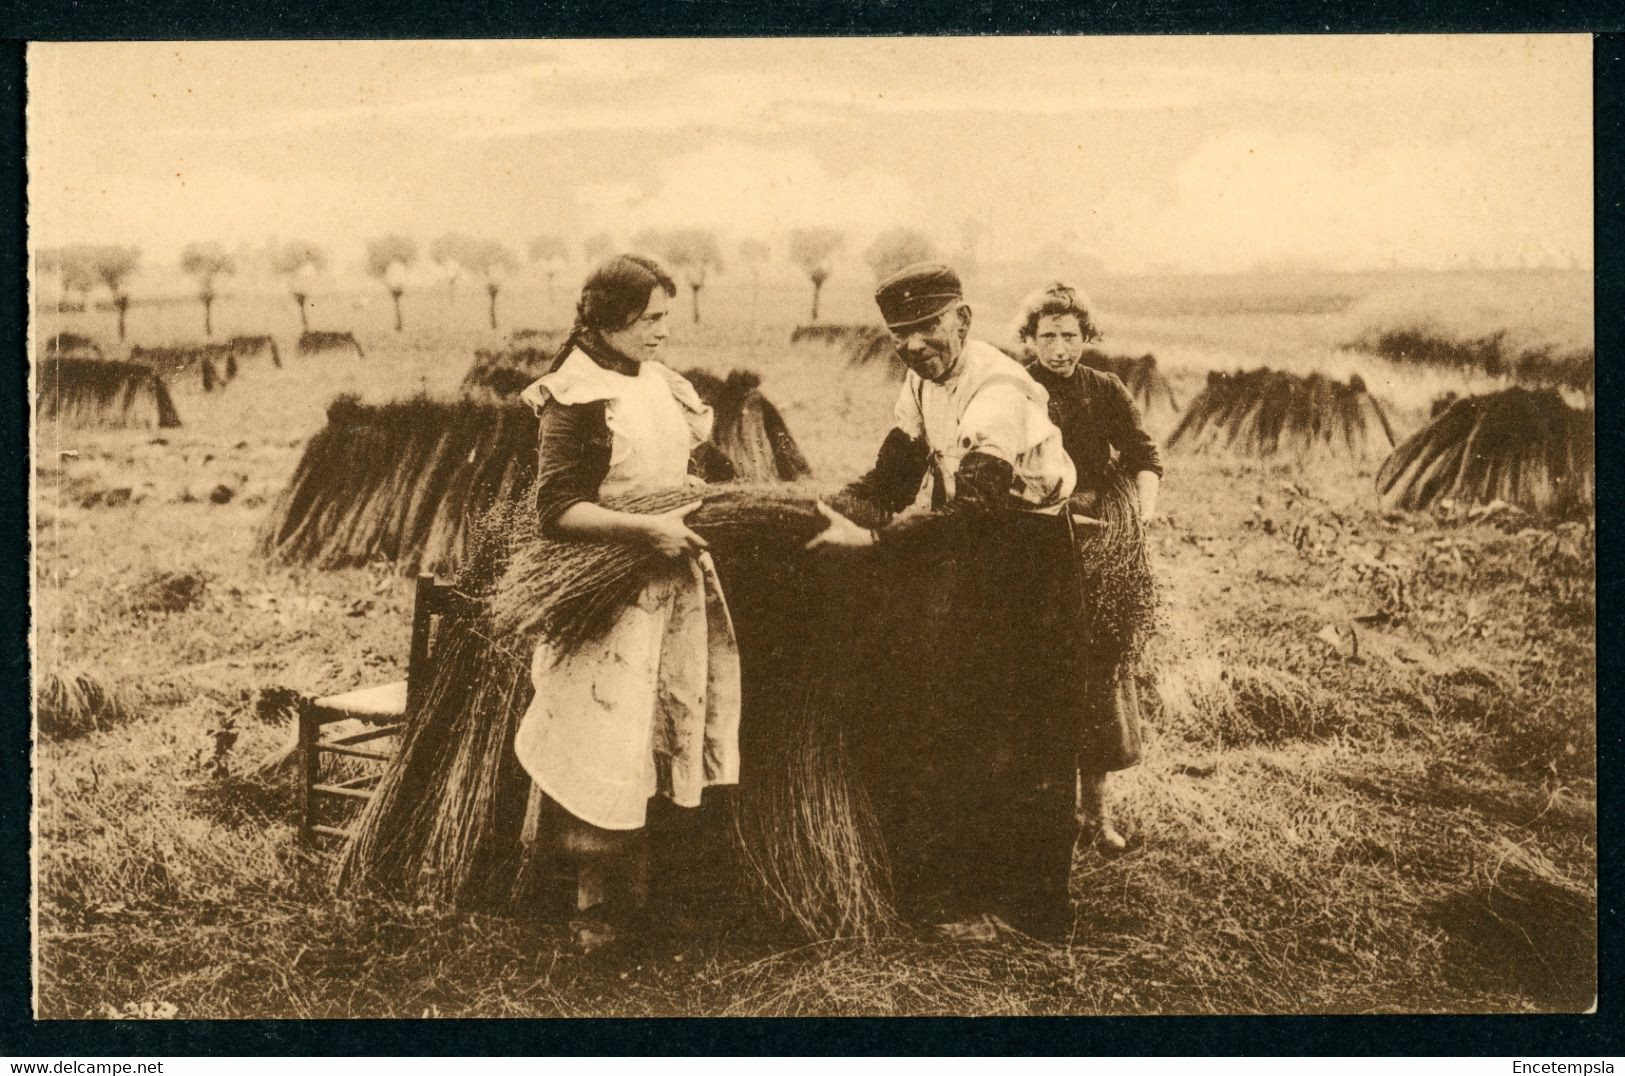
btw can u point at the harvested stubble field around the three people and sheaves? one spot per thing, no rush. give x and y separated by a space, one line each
1371 779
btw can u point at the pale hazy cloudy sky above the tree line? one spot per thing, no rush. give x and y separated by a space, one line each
1145 154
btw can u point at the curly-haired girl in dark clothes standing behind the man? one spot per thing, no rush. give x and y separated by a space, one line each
1103 433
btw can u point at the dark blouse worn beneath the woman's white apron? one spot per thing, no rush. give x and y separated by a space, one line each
574 453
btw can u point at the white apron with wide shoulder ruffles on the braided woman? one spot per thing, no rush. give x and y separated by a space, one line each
654 706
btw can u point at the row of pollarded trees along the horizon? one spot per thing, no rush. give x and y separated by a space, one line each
695 254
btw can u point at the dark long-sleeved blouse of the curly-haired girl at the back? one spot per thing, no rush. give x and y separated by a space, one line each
1098 417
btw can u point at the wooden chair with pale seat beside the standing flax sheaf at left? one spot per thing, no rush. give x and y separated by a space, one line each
383 709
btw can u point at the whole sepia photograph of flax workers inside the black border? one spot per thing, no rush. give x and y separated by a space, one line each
813 527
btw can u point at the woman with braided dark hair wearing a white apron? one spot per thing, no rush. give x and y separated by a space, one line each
654 706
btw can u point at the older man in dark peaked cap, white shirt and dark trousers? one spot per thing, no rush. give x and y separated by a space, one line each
984 815
